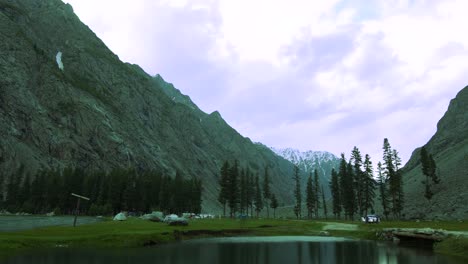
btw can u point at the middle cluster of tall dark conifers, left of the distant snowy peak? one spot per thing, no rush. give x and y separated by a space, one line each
243 192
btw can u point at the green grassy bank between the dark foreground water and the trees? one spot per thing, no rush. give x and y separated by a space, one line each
138 233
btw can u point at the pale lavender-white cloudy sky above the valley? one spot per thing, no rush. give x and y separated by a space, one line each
311 75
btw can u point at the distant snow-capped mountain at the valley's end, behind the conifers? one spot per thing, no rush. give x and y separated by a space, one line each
309 161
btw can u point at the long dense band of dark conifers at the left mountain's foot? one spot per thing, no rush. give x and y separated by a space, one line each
109 192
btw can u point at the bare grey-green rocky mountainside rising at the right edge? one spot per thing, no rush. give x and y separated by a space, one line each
449 146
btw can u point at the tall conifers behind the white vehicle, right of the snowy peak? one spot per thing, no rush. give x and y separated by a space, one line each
354 187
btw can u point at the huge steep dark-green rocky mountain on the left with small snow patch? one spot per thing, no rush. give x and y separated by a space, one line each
67 100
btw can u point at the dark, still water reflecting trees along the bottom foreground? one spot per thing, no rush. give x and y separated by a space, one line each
245 251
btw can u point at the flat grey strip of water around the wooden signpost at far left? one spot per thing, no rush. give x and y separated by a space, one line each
16 223
